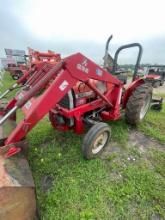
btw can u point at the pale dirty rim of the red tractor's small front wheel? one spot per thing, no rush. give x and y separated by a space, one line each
100 142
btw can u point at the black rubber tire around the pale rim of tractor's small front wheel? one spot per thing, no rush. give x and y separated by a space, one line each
90 138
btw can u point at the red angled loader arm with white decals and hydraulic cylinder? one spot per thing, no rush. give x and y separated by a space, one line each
56 83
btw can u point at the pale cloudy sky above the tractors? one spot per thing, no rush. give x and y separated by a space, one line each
70 26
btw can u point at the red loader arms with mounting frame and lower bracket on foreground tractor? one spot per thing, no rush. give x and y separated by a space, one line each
56 83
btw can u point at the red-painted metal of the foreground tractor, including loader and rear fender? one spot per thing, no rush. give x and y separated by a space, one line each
78 73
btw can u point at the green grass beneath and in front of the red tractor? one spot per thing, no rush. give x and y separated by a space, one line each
128 184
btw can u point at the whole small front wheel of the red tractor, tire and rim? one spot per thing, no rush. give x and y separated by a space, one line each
96 139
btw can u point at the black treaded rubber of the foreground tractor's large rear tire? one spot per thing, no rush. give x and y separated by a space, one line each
136 102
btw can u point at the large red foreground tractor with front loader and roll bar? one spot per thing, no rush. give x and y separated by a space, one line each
74 93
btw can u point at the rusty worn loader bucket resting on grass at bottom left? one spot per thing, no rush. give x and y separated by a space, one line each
17 189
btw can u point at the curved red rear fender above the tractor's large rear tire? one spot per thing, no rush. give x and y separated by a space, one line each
130 90
